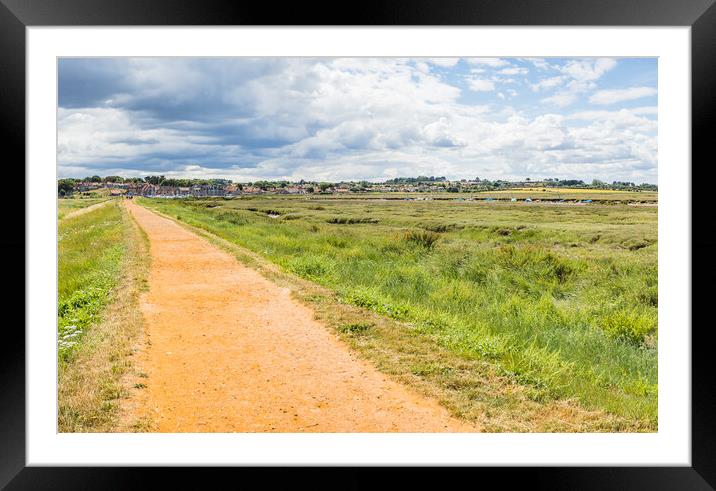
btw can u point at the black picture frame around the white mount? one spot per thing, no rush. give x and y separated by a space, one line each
700 15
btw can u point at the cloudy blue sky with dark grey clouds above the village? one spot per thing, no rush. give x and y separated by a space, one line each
333 119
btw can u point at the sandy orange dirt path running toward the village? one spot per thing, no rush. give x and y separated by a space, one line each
230 351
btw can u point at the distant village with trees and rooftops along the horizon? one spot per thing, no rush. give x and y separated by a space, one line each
161 187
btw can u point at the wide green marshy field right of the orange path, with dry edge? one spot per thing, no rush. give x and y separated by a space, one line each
551 304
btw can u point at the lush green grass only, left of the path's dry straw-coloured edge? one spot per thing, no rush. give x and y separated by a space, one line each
90 249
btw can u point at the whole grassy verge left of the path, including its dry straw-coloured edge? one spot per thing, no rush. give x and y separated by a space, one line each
102 265
